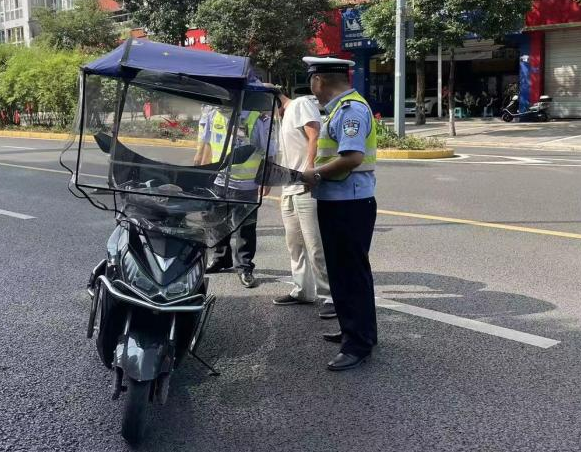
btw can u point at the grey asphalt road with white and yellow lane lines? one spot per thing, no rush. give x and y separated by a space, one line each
430 386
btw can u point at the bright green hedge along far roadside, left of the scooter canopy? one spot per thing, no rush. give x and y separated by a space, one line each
38 85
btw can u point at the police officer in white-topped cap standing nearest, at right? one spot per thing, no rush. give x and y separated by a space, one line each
343 182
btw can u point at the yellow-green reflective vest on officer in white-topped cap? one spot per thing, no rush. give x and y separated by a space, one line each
327 146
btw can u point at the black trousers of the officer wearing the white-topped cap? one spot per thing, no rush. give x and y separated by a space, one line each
346 231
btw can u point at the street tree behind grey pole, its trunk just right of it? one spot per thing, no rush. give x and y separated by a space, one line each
379 24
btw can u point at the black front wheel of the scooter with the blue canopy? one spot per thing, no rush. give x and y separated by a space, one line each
137 398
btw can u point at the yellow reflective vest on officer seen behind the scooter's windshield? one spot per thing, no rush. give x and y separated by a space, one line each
241 171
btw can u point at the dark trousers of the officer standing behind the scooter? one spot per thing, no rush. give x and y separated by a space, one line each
245 236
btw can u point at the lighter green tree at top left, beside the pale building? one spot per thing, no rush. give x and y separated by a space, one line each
86 27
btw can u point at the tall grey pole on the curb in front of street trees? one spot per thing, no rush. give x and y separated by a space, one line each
399 110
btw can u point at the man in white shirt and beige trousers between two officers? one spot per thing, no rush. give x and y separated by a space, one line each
299 132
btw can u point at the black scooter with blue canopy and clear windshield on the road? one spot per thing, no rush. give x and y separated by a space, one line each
150 299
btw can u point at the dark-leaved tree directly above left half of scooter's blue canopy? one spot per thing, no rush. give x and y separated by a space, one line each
167 20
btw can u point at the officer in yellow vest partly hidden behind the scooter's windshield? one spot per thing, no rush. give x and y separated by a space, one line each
253 129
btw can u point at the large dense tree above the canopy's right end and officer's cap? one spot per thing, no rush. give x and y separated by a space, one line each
274 34
